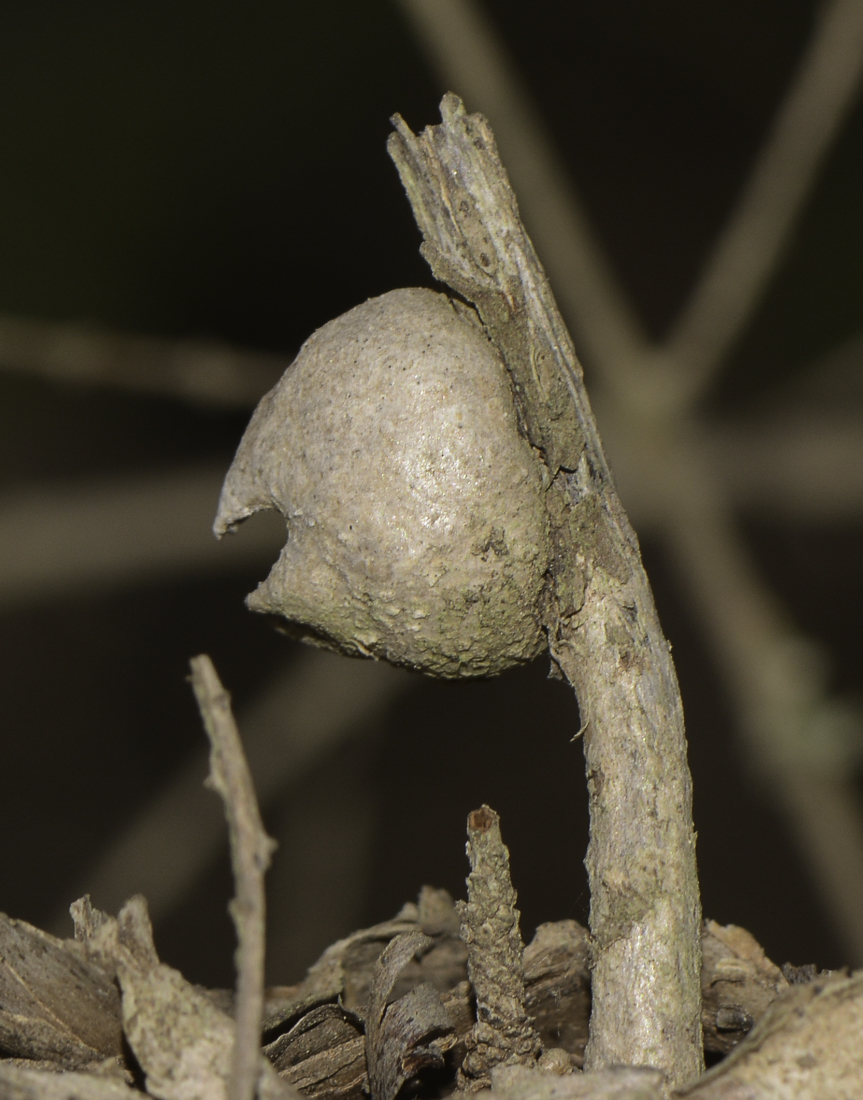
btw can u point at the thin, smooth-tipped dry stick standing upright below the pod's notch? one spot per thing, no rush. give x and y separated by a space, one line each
251 851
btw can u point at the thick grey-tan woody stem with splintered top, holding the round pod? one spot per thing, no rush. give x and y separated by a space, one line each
603 628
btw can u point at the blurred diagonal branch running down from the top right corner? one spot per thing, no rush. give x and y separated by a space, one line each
745 258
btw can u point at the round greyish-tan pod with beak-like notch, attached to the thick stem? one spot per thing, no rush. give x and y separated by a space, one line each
417 529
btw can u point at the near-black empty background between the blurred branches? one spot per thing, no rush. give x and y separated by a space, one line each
213 170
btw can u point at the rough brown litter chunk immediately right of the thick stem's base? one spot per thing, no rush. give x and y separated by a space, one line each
739 984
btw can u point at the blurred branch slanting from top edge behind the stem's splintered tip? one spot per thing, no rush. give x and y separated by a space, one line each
472 61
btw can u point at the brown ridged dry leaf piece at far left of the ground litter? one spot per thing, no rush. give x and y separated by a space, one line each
56 1004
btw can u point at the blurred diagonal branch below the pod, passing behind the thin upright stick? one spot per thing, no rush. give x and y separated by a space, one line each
318 702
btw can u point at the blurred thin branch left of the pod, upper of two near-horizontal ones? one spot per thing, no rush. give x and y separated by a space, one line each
206 373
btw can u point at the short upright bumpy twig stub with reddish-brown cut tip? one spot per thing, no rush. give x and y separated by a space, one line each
503 1033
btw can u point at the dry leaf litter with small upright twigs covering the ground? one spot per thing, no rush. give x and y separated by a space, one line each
445 998
